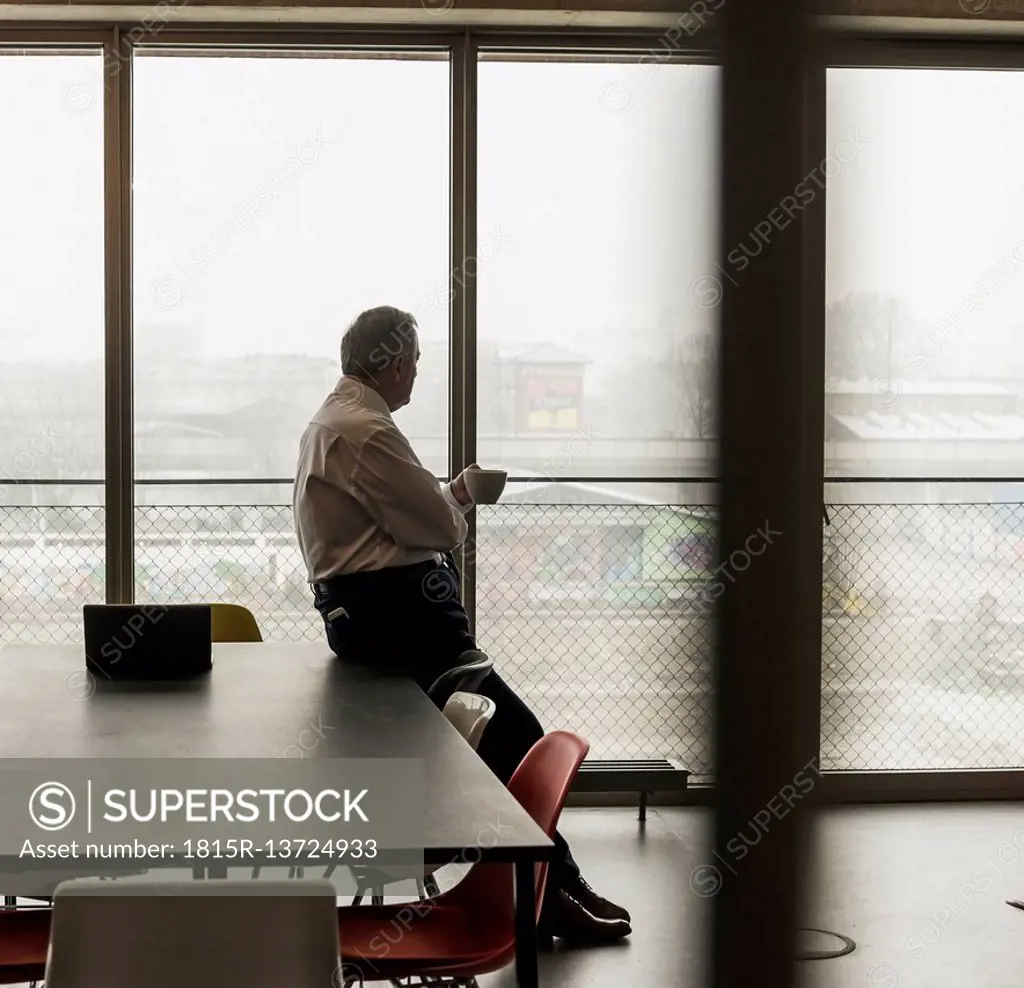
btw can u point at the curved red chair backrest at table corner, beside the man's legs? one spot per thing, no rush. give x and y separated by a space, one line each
541 785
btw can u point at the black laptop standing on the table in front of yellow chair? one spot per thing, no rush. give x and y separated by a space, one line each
148 641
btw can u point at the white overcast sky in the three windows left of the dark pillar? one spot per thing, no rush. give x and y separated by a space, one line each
605 219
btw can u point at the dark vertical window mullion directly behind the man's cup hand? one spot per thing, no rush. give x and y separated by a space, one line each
463 288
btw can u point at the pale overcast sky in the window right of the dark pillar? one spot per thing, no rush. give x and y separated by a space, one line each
934 202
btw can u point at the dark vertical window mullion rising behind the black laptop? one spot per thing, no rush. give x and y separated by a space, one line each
117 364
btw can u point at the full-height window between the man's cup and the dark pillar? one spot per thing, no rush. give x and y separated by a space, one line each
598 211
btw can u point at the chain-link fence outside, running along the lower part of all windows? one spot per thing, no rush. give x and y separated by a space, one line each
598 616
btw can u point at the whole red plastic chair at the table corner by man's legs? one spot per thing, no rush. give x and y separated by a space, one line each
470 930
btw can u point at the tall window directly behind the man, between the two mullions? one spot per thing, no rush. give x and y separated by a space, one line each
276 197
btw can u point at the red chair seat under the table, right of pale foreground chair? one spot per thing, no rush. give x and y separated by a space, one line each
386 942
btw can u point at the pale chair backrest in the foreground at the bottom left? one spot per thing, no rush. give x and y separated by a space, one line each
209 934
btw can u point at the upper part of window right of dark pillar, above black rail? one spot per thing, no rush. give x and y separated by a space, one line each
925 259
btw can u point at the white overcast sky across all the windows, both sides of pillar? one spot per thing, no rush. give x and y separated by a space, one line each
607 218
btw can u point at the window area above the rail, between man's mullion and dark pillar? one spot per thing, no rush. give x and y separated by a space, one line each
599 204
